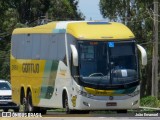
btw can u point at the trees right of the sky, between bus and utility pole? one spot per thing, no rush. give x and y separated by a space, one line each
138 16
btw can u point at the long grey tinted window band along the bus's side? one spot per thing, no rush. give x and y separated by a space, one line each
39 46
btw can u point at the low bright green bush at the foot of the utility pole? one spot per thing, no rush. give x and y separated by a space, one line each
150 101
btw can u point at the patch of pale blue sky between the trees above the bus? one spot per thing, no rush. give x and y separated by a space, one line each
90 9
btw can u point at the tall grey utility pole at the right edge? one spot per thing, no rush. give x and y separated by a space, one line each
155 52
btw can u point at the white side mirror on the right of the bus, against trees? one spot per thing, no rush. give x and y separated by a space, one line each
143 54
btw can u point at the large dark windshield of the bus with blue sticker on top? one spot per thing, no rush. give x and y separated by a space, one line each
107 63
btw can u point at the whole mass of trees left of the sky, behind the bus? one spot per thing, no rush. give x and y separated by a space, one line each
24 13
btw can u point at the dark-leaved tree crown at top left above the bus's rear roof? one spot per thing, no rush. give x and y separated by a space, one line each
28 10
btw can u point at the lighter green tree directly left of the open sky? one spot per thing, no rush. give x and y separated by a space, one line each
69 12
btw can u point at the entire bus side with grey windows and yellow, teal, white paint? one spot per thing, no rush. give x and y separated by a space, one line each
41 66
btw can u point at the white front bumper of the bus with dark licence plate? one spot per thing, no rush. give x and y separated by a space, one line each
84 103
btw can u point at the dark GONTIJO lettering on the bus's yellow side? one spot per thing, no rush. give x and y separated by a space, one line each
30 68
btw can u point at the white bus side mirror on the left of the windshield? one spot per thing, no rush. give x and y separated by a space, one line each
74 55
